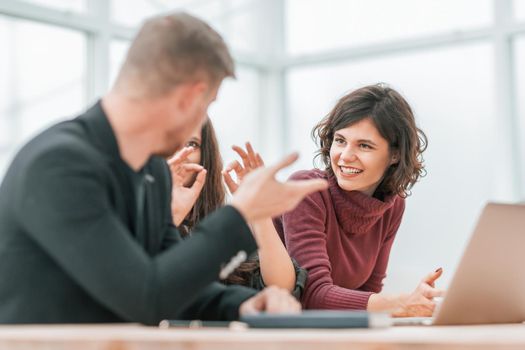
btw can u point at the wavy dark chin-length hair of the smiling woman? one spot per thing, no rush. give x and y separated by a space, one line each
393 118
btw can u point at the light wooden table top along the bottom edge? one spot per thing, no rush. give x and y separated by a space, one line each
124 337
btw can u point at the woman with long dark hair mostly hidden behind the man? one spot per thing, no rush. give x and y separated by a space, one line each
272 265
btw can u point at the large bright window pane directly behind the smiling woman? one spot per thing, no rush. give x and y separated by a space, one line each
452 97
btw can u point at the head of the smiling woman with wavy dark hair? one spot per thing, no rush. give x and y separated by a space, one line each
372 129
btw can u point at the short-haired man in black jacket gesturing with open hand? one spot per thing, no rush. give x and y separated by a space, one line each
86 228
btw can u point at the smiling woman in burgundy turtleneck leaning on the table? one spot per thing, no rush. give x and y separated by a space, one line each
372 152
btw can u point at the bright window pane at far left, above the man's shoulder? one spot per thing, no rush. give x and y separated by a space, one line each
44 79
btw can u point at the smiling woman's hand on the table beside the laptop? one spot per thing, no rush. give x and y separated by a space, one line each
420 302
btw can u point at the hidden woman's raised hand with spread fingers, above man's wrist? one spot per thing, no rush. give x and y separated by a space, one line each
250 160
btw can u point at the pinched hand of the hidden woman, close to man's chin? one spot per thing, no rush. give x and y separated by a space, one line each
183 198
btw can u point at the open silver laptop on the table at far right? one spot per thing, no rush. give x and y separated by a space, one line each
489 283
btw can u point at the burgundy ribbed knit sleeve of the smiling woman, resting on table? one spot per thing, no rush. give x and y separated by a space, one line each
305 237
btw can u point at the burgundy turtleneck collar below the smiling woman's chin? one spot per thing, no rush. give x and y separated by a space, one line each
356 211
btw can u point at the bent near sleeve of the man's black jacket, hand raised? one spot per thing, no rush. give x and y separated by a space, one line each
68 212
